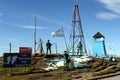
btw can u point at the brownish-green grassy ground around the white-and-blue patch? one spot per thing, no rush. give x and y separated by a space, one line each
97 67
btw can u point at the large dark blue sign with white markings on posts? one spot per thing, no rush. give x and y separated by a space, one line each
16 60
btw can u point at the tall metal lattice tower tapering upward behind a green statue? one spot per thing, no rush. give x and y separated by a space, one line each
76 34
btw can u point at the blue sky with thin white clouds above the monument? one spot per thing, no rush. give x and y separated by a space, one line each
17 22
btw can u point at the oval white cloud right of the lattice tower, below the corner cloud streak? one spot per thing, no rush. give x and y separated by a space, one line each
107 16
